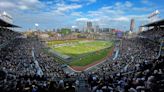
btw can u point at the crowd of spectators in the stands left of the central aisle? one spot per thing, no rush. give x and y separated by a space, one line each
17 68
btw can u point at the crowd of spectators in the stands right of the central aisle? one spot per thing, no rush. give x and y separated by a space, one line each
136 69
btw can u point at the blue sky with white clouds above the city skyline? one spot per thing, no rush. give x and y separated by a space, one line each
51 14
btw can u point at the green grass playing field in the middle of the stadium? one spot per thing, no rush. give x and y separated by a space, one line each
82 52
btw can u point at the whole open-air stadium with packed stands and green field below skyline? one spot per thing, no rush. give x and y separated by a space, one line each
135 64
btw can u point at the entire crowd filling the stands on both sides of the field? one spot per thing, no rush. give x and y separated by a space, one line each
136 69
